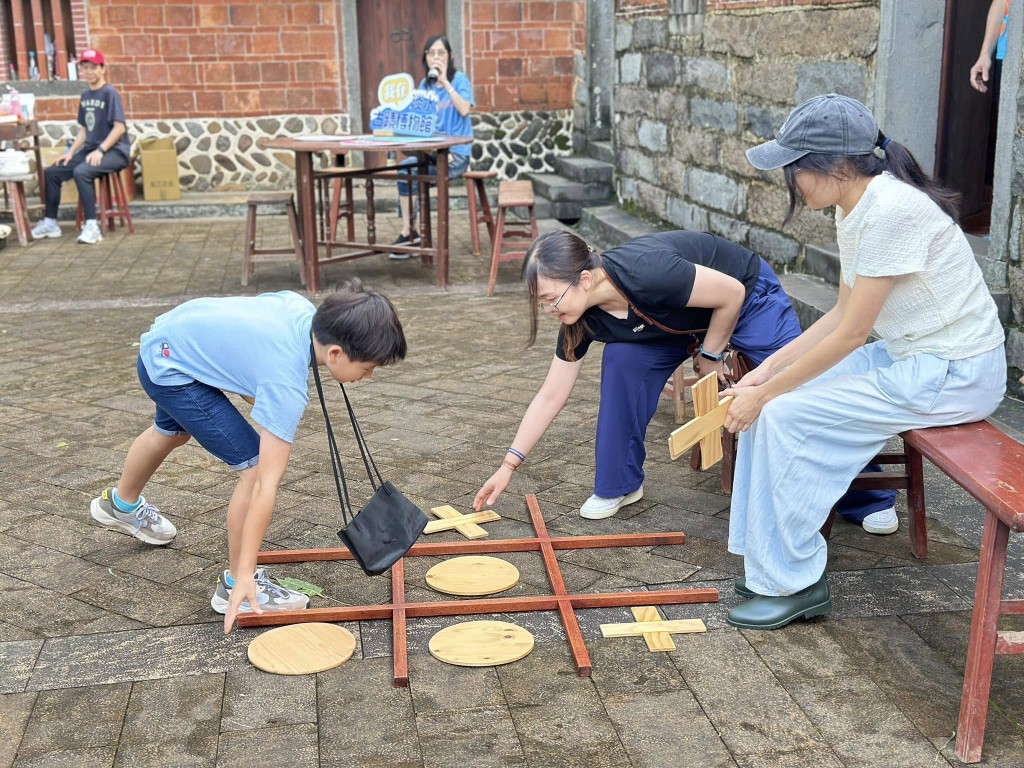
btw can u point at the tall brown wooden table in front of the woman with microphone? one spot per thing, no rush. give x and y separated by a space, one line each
306 199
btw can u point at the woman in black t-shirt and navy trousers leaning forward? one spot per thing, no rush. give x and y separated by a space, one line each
634 298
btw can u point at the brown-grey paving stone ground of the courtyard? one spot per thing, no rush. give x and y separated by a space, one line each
110 654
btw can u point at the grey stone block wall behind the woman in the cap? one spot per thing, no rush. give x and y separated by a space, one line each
695 91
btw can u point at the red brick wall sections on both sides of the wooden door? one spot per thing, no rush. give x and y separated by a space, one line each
175 59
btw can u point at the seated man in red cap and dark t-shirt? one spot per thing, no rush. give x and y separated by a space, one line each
102 147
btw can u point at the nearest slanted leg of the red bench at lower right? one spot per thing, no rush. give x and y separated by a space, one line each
982 650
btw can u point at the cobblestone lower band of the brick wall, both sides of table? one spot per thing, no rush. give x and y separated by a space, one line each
226 154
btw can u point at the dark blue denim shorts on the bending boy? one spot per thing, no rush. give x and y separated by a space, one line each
206 414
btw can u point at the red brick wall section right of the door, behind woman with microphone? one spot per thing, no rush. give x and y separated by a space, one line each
523 53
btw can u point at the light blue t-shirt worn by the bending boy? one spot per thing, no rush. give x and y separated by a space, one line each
253 346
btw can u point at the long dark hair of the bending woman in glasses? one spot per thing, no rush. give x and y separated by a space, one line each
562 257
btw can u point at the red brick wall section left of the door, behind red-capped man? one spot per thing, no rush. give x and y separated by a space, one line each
174 59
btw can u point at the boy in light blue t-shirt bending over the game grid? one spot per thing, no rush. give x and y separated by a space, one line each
261 348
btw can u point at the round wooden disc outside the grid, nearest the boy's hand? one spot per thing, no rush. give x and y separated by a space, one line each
302 649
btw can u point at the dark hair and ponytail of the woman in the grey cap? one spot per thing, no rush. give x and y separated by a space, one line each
889 157
